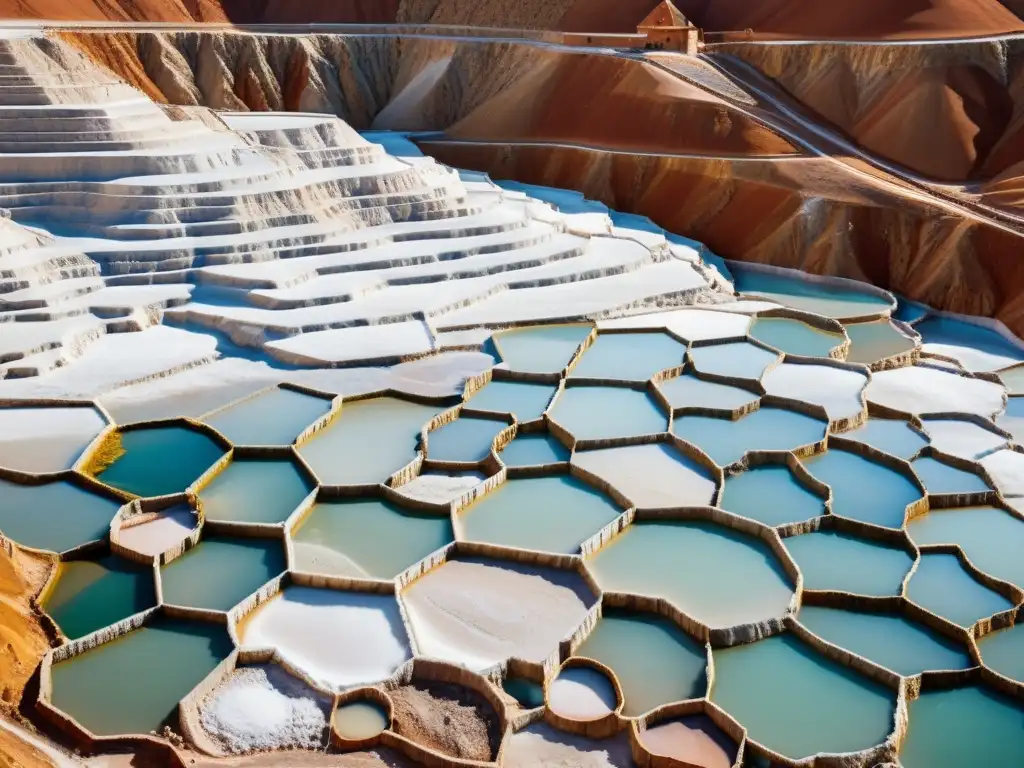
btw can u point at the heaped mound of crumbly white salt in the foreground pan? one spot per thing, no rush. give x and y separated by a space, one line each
263 708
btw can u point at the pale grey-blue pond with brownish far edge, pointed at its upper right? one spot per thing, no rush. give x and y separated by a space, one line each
369 442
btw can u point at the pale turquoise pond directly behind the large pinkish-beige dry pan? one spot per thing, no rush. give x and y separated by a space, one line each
551 515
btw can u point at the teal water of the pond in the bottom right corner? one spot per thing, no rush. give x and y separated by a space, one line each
964 727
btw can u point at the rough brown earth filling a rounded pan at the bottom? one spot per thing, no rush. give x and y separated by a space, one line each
451 719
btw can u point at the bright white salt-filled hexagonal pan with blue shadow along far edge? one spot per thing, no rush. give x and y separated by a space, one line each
340 639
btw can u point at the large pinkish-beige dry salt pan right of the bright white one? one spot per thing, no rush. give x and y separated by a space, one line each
478 612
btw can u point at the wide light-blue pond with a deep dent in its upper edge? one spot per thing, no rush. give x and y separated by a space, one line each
765 430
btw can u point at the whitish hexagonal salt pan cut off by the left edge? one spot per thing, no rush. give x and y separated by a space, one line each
47 440
